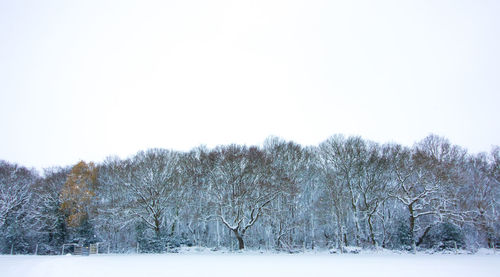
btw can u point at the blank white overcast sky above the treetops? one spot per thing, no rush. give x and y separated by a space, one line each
89 79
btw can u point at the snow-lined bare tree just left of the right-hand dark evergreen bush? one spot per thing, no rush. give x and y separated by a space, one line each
424 178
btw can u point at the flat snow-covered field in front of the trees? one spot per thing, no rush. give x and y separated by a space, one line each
253 264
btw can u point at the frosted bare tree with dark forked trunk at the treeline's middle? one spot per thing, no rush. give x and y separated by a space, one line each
241 189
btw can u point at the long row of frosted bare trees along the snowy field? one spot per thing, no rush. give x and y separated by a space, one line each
281 196
